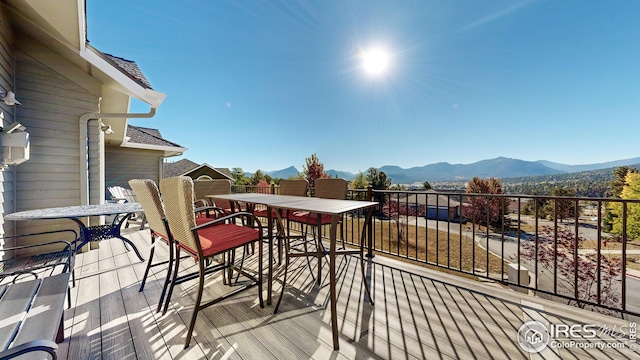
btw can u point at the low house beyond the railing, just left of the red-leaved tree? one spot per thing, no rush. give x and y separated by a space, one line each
427 203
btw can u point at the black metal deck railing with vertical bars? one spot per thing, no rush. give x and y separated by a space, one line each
579 250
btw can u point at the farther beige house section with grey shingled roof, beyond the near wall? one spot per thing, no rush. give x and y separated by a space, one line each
140 155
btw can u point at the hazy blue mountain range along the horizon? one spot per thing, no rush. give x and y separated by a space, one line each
500 167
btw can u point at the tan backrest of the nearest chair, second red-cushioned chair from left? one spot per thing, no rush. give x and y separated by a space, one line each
177 195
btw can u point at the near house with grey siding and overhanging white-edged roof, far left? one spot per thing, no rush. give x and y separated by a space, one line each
71 93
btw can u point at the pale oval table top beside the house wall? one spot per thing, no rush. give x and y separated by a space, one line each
76 211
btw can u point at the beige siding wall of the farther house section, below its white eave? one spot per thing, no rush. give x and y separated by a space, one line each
124 164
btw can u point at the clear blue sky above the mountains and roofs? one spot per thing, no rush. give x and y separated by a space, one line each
265 84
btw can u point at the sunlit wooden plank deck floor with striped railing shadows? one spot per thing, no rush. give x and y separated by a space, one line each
418 314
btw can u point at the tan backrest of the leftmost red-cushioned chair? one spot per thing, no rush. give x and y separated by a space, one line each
148 196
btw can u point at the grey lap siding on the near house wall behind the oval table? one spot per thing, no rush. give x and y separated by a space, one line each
52 104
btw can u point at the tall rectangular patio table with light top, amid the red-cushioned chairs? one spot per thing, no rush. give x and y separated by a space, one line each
334 208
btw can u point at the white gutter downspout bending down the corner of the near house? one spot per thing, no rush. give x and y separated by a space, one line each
84 149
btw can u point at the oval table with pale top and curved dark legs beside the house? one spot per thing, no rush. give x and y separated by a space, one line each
122 212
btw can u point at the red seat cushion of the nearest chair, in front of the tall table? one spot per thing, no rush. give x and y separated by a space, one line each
223 237
